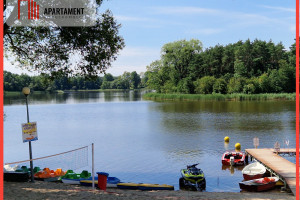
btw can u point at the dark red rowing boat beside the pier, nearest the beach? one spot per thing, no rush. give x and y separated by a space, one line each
258 185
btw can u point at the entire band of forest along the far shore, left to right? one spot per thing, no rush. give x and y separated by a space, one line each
243 67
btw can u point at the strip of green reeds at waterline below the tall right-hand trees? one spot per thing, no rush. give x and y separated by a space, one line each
220 97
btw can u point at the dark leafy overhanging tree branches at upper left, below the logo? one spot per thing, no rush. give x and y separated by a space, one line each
51 50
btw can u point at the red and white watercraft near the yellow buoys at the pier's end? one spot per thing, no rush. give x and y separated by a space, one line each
233 158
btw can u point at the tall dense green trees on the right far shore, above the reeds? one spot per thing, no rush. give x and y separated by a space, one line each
243 67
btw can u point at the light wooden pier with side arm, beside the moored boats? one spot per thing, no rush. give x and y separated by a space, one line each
276 164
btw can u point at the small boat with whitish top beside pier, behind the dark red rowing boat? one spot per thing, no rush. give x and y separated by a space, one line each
253 171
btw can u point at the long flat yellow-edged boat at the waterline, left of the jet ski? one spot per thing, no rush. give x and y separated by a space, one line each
144 186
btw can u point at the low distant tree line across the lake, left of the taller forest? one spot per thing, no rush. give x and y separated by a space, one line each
14 82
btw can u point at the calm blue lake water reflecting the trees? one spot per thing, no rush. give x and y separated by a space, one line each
147 141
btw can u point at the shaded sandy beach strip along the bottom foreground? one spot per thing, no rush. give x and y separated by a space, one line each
50 190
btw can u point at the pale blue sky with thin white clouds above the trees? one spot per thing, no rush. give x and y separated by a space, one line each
146 25
